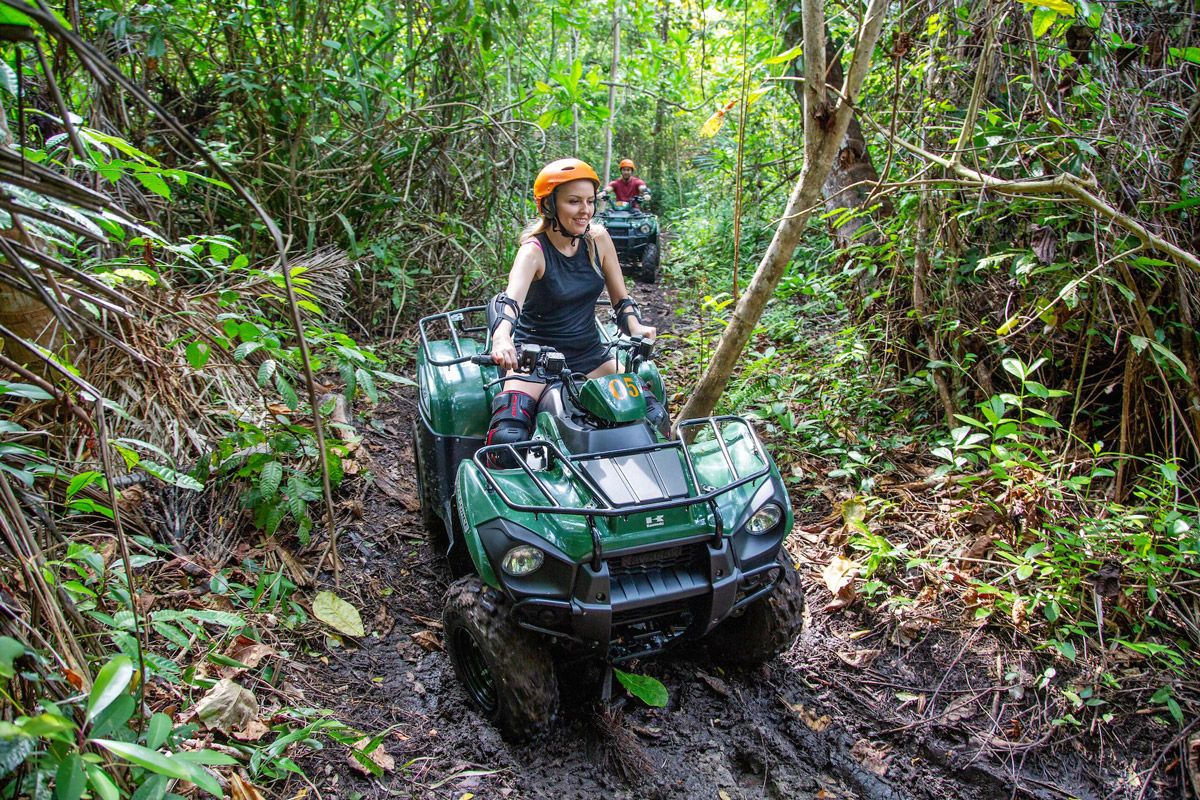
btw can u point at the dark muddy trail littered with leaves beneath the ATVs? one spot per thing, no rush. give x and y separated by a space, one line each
854 711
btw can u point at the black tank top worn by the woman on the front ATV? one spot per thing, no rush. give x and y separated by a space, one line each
560 310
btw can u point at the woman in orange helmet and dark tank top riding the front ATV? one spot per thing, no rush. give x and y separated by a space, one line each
561 268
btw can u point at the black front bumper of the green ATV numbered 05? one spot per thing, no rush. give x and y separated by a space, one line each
639 610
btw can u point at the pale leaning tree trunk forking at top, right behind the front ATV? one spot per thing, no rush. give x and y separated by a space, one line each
824 134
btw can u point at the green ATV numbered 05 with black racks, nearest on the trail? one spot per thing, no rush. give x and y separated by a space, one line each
599 542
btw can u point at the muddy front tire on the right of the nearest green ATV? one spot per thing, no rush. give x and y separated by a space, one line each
769 627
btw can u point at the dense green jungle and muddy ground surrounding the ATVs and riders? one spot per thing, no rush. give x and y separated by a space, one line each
968 330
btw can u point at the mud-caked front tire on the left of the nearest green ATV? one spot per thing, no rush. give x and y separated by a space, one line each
507 671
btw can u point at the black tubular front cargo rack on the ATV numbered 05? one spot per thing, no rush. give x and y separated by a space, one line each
599 504
